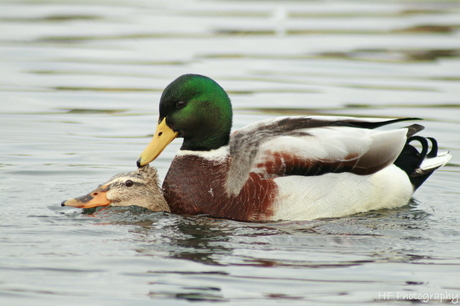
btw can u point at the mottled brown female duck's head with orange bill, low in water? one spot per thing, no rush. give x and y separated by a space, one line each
140 188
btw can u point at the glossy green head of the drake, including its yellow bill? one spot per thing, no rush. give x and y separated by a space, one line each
195 108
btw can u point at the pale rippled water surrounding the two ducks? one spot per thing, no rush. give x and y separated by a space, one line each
80 83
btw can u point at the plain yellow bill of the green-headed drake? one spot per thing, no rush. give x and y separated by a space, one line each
161 139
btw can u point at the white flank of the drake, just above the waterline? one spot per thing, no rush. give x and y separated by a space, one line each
340 194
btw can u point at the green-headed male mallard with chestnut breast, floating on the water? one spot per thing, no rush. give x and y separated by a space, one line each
289 168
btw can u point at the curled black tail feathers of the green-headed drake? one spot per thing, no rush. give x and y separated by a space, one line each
410 159
